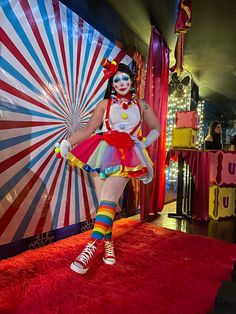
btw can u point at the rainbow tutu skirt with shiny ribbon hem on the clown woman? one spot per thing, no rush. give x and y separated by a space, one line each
112 154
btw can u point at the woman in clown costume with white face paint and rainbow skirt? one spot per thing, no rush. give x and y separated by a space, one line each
114 156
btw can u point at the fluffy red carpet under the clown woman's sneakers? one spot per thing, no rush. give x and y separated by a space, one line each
157 271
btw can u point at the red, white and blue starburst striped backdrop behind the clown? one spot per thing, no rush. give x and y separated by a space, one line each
51 81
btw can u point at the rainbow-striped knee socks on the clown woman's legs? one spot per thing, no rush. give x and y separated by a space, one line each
104 220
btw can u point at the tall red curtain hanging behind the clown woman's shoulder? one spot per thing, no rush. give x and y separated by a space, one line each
156 95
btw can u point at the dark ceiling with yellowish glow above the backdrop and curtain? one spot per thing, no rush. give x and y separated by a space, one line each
210 44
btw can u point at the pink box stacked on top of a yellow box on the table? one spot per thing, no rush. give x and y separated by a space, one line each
186 119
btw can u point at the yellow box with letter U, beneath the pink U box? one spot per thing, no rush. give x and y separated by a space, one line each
221 202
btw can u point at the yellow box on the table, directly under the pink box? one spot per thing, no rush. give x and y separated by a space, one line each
184 137
